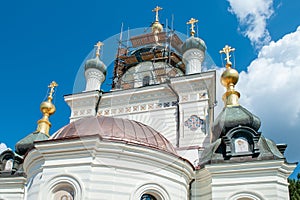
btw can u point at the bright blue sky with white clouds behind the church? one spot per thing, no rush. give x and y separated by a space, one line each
43 41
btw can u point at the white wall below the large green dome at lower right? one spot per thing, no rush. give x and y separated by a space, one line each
255 180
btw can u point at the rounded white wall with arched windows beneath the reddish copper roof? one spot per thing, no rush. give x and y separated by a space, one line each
107 170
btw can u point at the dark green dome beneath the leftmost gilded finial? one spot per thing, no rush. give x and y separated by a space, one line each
27 143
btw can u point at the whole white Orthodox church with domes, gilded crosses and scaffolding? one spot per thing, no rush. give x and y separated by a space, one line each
153 136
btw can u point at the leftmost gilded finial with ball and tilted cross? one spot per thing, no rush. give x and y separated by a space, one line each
47 108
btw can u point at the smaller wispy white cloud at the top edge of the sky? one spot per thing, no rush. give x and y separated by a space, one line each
252 16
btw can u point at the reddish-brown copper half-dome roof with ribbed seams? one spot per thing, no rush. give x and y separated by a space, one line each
116 129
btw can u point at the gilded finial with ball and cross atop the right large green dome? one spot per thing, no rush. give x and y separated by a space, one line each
229 79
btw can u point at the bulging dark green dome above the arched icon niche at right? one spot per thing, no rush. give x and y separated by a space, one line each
232 117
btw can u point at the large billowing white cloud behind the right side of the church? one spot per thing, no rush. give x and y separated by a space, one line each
271 90
